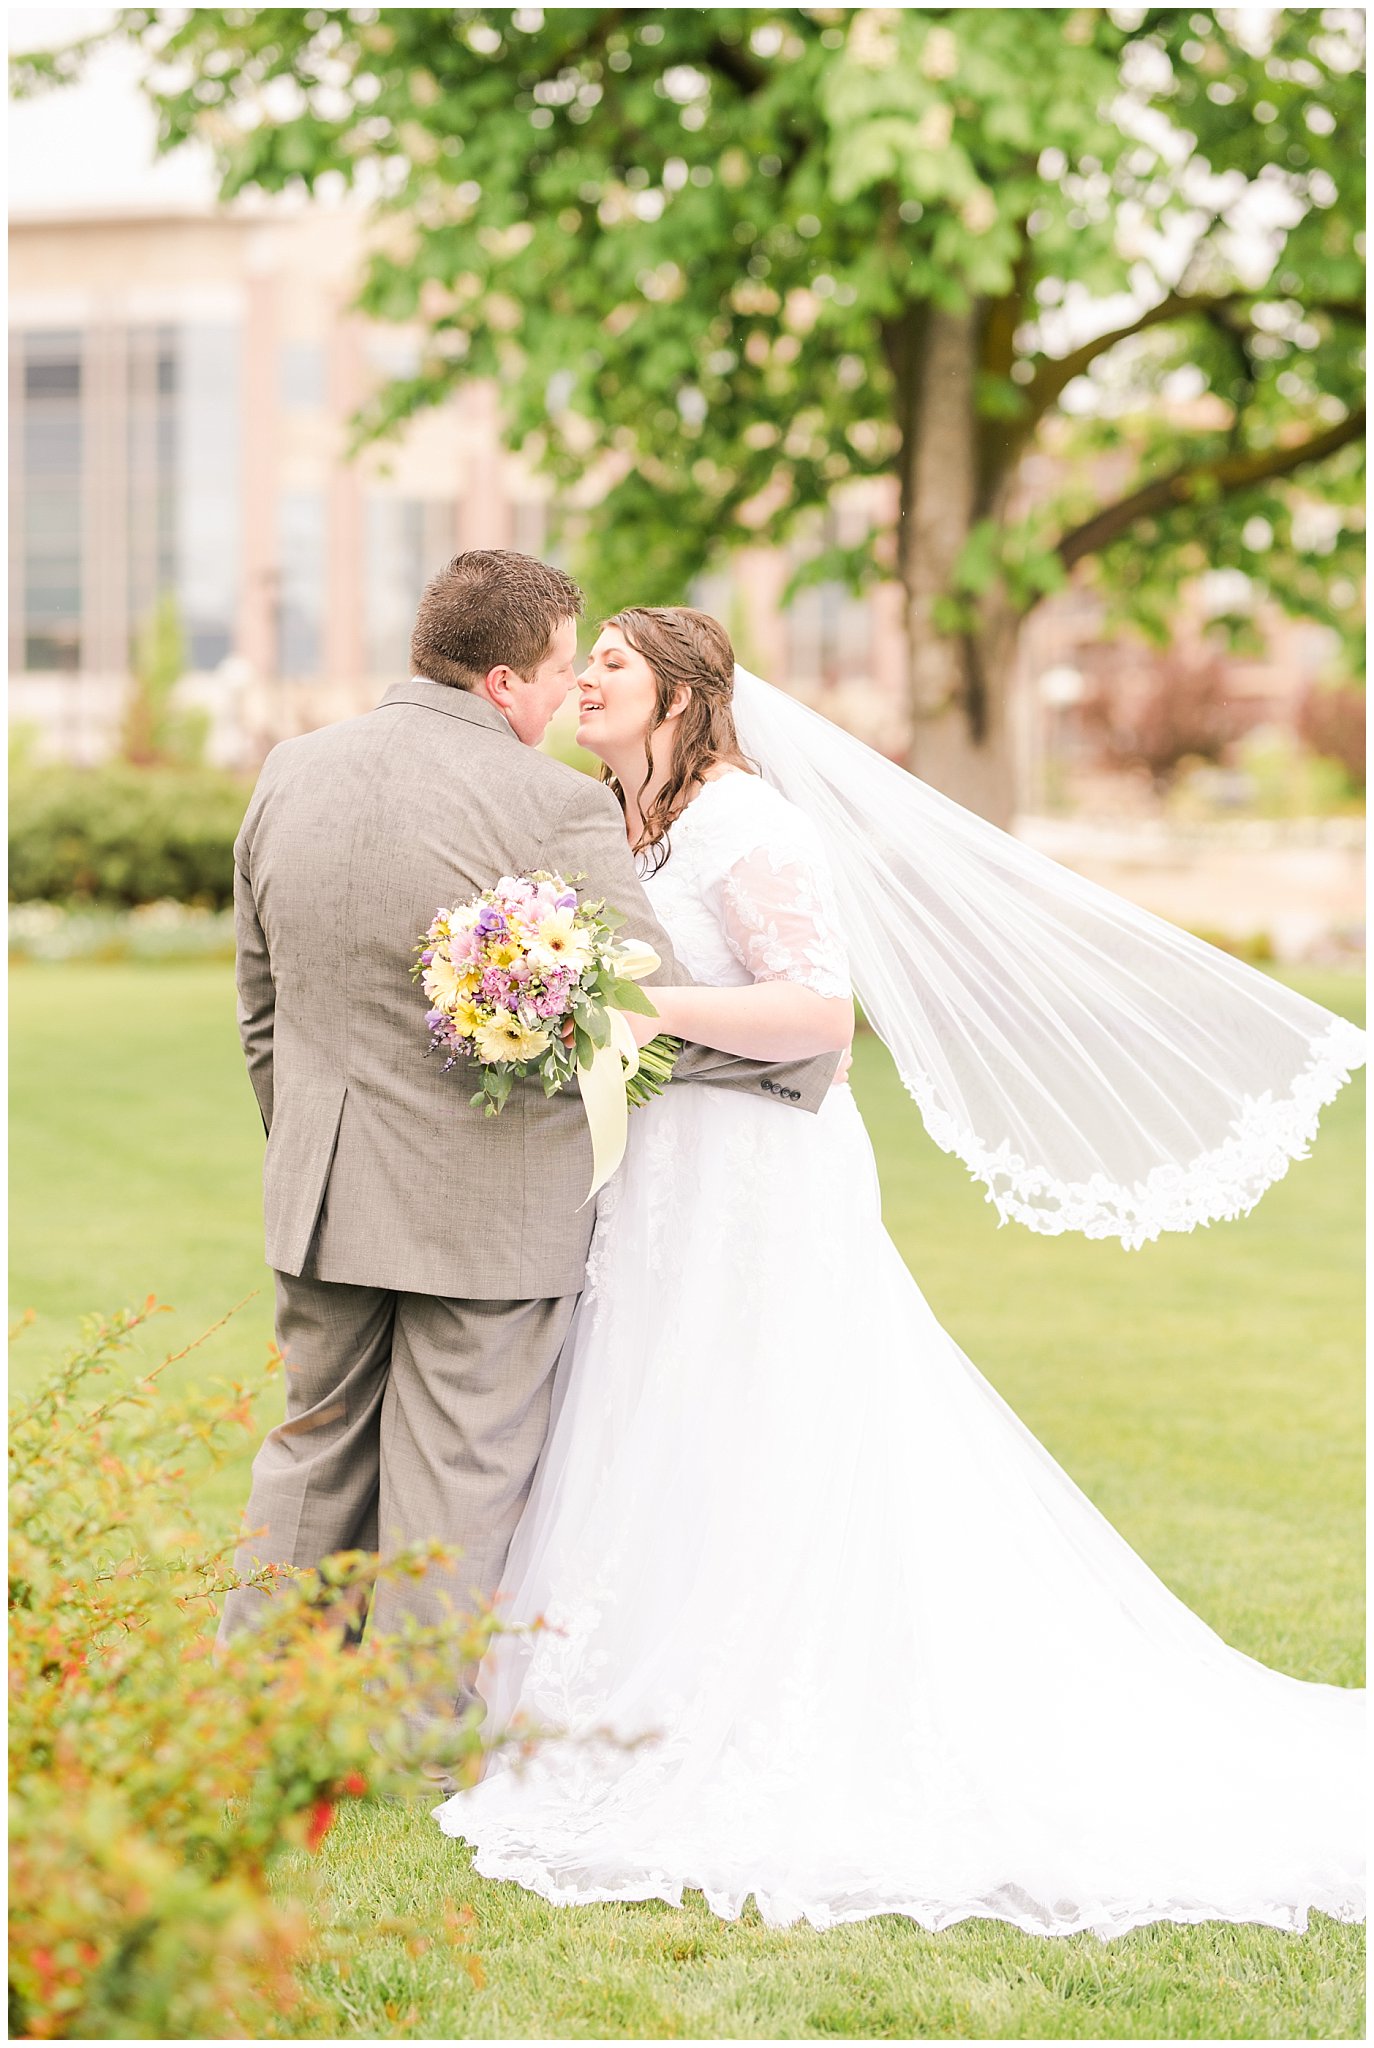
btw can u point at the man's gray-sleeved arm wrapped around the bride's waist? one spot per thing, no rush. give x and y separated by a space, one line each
591 841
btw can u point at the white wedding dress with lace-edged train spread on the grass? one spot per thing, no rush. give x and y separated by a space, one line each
871 1646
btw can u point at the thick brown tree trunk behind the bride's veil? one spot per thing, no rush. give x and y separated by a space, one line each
961 734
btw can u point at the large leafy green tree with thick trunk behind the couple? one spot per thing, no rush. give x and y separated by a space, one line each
736 259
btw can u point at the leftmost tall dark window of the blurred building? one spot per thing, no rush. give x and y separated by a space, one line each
50 458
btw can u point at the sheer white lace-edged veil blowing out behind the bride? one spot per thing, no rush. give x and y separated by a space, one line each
1097 1068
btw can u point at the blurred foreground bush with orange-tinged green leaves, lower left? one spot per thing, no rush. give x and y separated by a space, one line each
161 1799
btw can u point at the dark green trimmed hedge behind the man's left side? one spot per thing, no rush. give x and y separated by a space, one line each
124 837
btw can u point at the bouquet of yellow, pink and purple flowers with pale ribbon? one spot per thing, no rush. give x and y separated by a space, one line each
511 968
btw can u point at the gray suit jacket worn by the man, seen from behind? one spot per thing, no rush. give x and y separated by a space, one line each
380 1172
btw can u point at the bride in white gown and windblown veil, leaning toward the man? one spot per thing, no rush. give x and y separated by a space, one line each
826 1623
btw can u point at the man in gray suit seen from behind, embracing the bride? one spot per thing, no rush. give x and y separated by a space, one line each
427 1256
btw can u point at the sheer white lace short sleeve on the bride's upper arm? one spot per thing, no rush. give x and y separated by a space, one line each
779 912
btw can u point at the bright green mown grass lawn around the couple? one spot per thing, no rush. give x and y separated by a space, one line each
1205 1392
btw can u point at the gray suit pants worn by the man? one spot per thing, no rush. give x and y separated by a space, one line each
409 1418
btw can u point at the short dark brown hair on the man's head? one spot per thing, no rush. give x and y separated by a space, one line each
490 609
